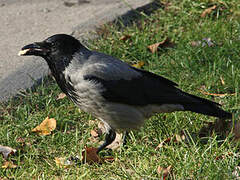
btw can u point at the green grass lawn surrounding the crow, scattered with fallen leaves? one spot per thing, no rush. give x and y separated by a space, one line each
193 68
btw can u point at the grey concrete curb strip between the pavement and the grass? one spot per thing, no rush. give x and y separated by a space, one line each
33 69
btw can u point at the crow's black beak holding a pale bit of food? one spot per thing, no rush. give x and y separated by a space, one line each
36 49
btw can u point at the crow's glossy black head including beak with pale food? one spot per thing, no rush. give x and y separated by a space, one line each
55 46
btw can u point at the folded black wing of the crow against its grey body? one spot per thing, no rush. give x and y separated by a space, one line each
146 89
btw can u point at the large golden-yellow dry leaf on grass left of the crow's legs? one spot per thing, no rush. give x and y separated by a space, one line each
46 127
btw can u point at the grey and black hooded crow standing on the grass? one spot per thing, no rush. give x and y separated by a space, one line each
111 90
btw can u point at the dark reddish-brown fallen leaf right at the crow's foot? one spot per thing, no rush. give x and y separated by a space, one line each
90 155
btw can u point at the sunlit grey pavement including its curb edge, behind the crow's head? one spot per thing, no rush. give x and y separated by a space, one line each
27 21
